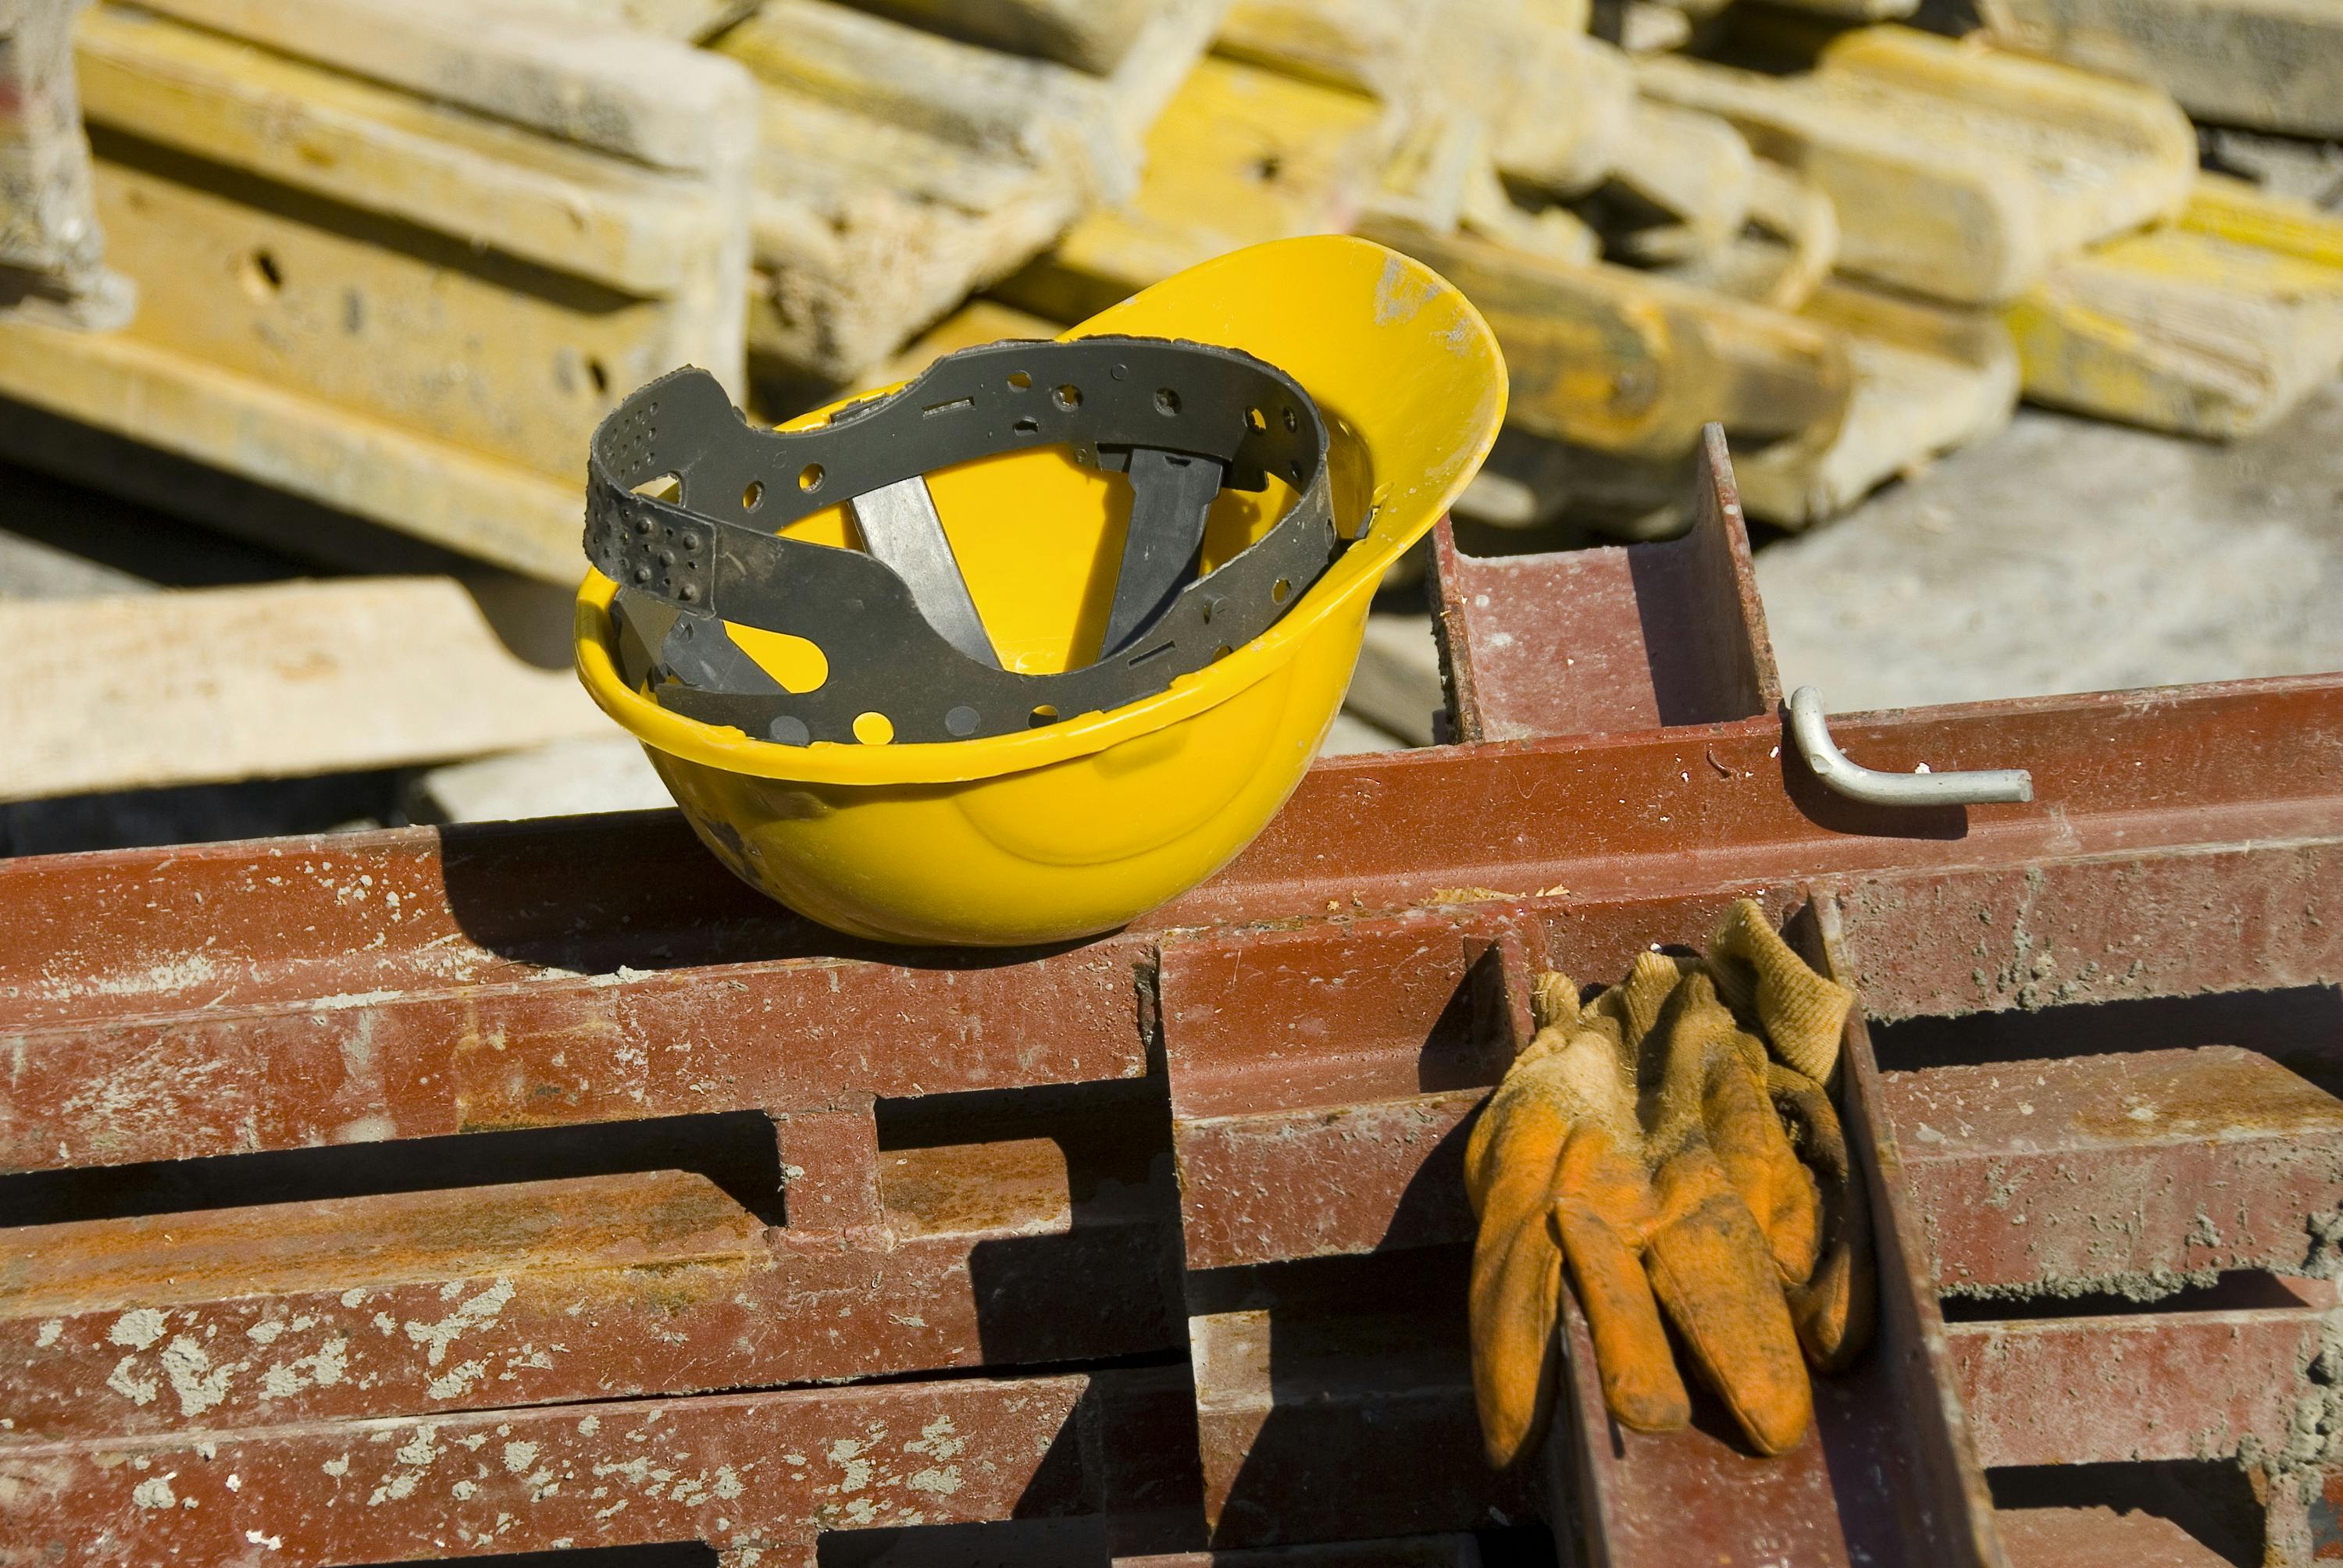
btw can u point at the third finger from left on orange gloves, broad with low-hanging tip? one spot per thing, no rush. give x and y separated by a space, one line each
1714 1274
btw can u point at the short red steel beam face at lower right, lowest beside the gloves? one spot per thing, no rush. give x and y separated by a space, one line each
2154 1386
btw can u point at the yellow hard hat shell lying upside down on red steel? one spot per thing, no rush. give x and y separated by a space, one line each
1093 819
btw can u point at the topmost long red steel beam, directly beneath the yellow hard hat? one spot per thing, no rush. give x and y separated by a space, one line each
278 997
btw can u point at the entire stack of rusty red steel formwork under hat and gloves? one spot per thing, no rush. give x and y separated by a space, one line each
1168 1229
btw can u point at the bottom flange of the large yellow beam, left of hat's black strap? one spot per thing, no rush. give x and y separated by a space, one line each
489 510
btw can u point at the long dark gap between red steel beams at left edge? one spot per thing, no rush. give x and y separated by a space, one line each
735 1150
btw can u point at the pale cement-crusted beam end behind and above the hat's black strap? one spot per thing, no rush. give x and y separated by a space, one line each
903 170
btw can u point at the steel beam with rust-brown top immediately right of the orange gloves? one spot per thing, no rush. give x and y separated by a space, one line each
2119 1173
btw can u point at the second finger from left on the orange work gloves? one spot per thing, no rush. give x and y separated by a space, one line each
1604 1211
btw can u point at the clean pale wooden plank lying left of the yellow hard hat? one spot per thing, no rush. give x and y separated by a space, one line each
287 679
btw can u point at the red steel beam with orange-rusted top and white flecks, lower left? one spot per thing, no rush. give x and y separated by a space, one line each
571 1290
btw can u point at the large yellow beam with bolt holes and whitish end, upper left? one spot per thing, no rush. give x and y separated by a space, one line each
381 301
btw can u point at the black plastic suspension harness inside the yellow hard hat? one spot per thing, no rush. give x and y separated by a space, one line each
896 625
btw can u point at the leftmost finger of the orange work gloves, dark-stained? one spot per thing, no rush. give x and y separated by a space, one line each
1517 1281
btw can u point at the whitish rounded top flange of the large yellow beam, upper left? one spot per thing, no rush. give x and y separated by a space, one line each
601 88
